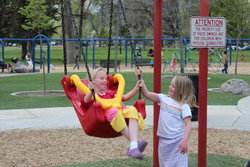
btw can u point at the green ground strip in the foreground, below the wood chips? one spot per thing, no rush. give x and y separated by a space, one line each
213 160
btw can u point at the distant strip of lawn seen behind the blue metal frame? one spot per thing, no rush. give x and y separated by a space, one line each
102 53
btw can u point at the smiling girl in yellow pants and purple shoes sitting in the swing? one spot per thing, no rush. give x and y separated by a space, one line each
117 117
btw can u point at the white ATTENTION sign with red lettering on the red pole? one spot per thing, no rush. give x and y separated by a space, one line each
208 32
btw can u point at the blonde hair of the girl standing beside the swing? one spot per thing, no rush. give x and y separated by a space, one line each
184 91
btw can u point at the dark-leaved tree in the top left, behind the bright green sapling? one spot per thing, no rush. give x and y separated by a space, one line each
11 21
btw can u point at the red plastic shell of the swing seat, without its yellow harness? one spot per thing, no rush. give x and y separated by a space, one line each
92 117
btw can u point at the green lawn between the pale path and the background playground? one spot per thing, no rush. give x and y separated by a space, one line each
32 82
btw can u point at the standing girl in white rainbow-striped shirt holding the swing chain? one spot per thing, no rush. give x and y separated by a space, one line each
174 125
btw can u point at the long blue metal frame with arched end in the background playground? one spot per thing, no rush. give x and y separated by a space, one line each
120 45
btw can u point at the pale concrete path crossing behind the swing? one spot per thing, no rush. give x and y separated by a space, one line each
219 117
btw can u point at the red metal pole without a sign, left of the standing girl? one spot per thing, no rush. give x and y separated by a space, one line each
157 72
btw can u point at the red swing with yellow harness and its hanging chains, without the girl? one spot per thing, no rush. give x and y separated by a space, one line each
92 118
